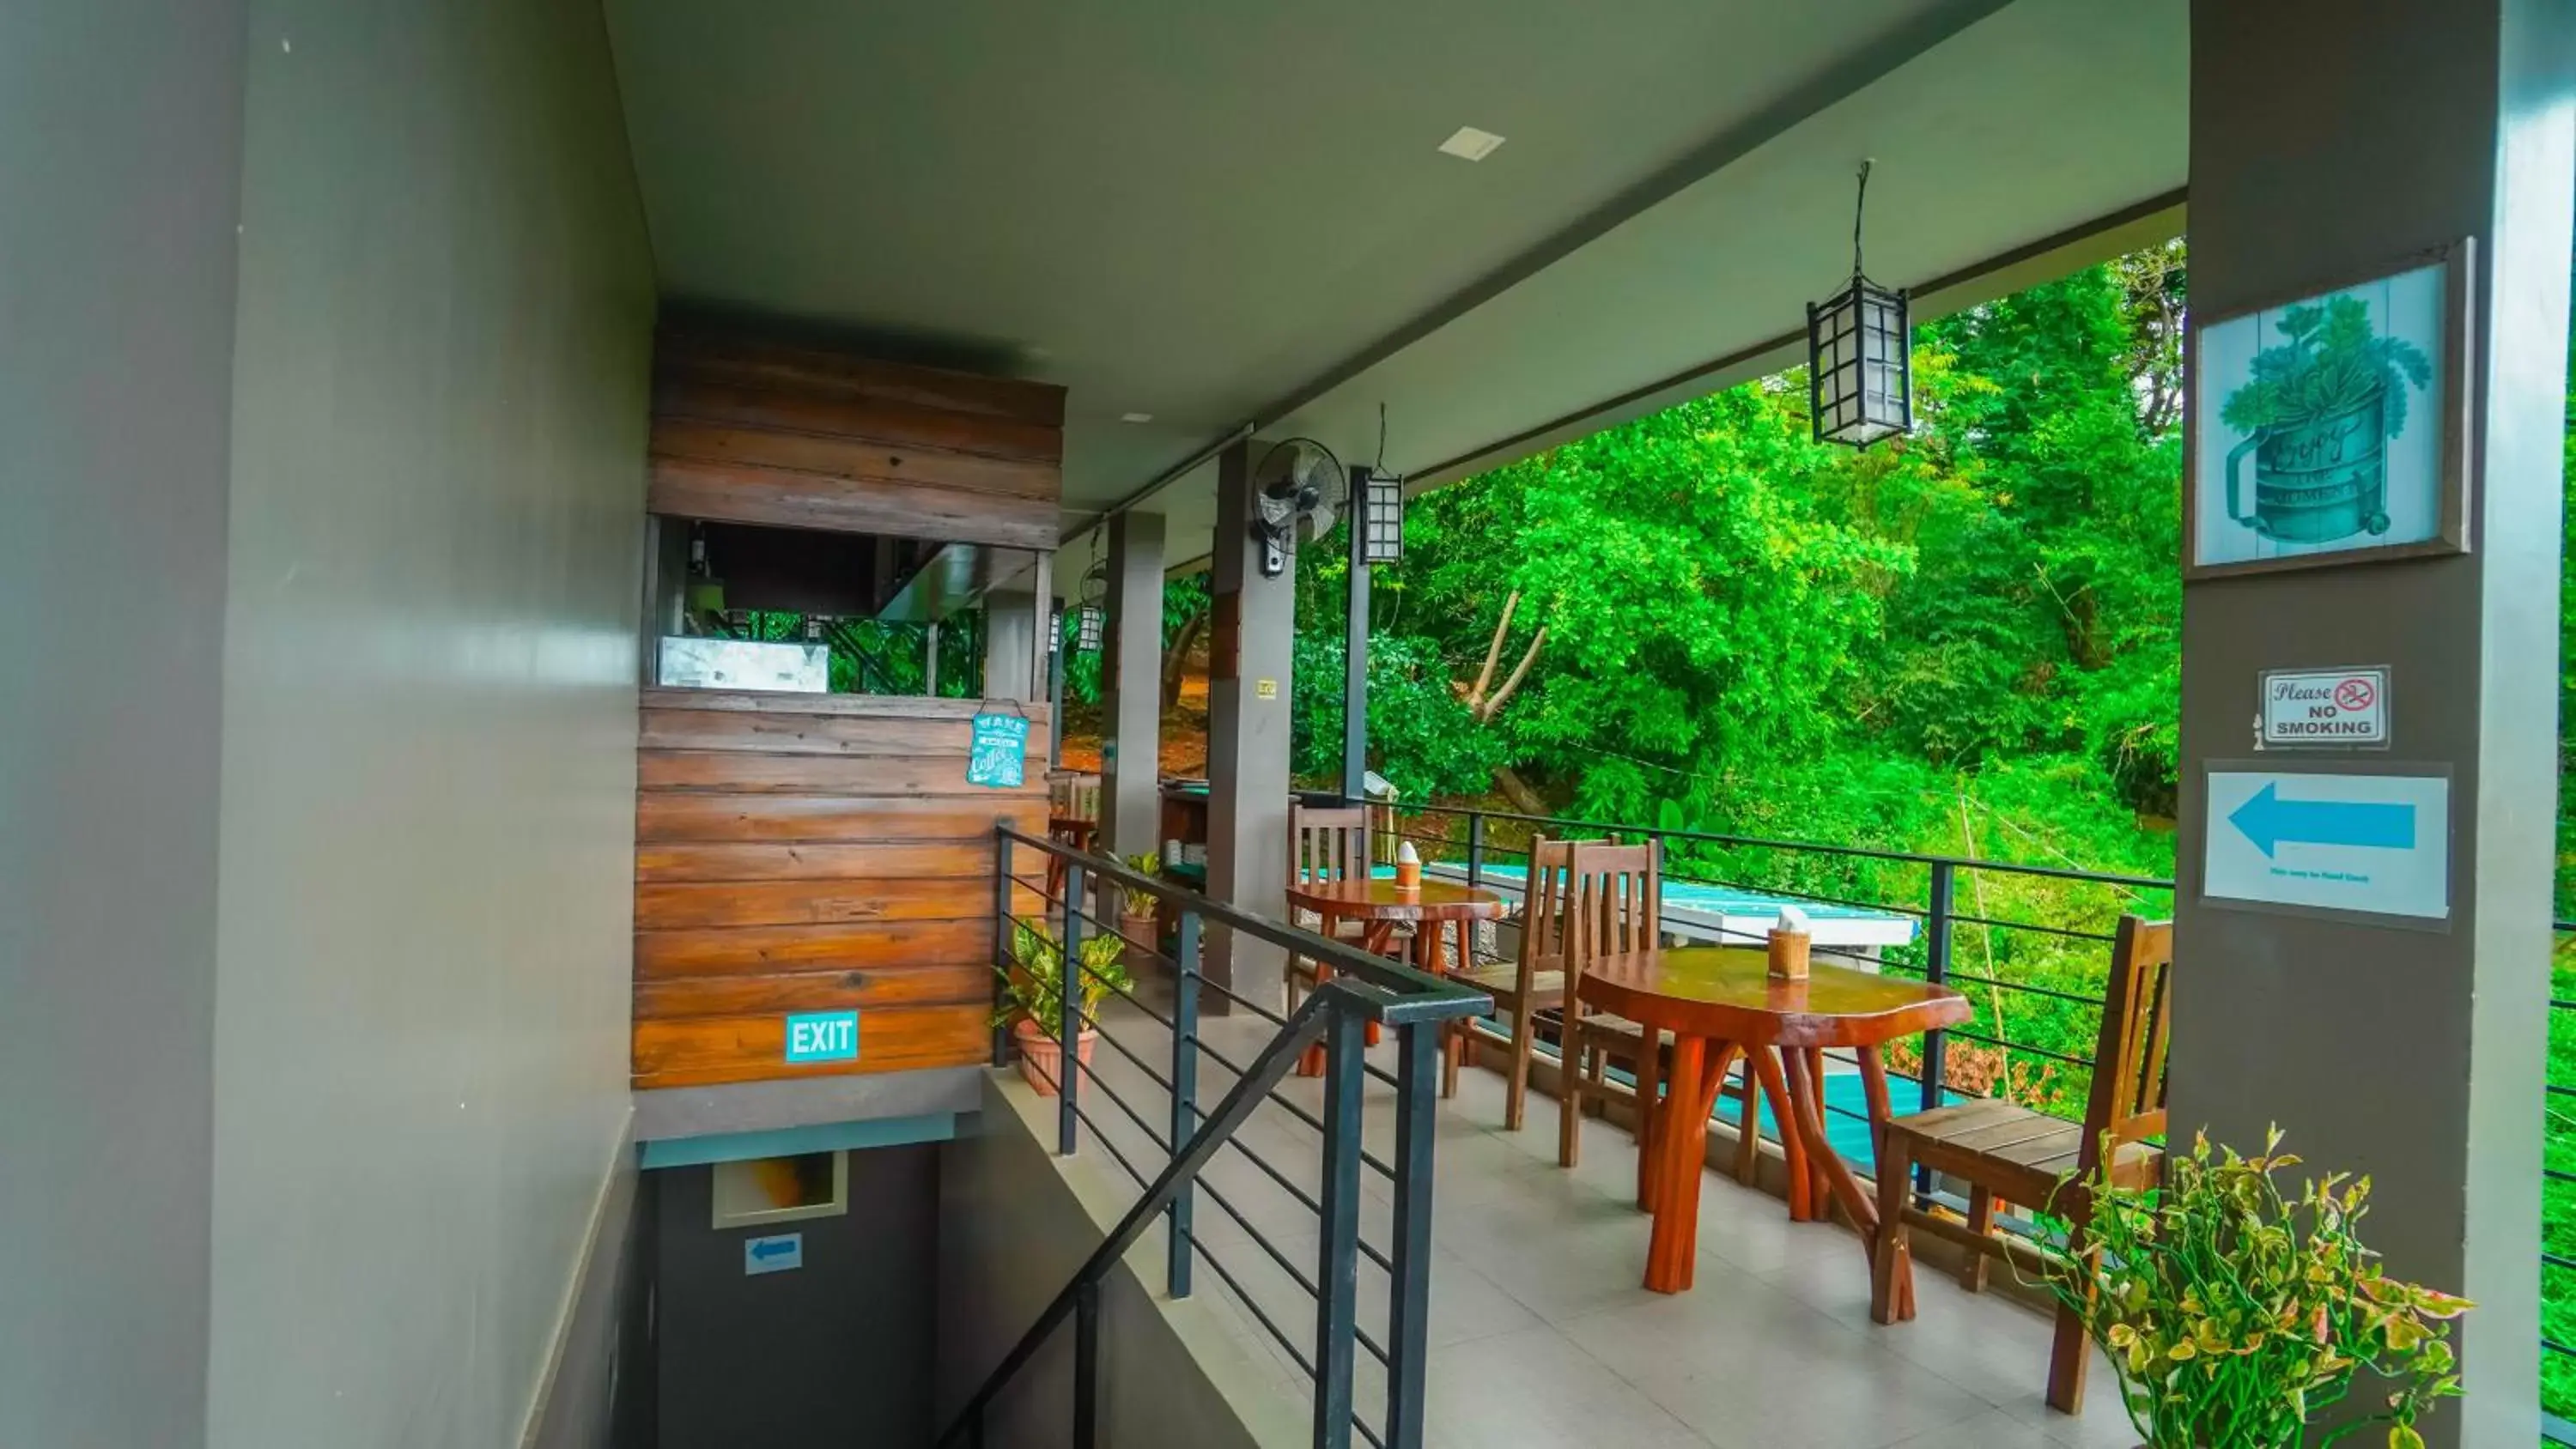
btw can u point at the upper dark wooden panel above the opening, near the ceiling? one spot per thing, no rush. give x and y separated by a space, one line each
808 439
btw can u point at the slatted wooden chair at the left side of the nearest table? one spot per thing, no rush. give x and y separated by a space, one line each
1616 905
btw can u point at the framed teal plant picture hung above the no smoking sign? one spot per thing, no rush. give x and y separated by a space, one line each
2333 429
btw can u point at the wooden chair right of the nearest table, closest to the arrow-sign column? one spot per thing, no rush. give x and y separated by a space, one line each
2011 1154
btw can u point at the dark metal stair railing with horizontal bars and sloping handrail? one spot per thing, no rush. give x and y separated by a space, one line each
1361 995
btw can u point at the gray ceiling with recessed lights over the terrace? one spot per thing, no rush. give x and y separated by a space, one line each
1225 212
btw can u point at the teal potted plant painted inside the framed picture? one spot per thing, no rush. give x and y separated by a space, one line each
2317 413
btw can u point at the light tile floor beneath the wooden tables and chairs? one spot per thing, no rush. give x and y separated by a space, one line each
1539 1327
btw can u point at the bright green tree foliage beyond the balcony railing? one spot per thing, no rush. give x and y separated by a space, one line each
1758 634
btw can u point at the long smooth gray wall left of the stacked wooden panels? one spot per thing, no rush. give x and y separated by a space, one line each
429 714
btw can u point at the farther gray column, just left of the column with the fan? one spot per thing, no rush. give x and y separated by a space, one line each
1132 688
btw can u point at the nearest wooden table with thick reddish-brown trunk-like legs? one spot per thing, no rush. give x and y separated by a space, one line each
1719 1002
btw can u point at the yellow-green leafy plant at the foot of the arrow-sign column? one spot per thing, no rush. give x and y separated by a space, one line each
2237 1314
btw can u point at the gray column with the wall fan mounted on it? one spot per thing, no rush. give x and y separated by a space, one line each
1253 629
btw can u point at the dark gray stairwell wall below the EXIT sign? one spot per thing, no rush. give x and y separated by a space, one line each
833 1355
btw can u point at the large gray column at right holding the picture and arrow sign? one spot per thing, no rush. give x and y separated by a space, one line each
2330 143
